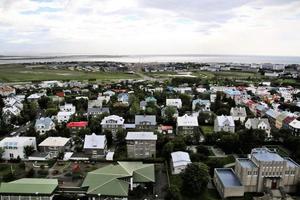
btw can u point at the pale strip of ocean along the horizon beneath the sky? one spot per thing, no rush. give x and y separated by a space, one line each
155 58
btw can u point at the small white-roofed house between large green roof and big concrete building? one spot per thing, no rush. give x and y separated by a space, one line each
179 162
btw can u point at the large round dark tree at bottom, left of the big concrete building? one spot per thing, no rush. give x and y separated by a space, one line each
195 178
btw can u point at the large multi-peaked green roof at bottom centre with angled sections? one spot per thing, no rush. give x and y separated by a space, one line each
110 180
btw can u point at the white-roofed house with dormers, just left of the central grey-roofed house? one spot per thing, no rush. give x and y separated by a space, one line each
112 123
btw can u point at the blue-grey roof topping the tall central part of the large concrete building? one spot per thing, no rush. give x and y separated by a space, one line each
265 154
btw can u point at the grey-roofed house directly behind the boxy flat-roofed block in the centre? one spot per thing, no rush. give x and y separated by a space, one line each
145 122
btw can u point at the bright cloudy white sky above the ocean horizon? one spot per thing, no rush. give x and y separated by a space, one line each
126 27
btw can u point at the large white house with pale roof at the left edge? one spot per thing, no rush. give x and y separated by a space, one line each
14 146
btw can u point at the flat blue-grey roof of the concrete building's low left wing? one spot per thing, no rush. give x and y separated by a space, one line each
228 177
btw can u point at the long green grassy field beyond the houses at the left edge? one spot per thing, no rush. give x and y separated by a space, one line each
21 74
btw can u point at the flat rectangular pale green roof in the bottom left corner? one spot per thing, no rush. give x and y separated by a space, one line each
29 186
